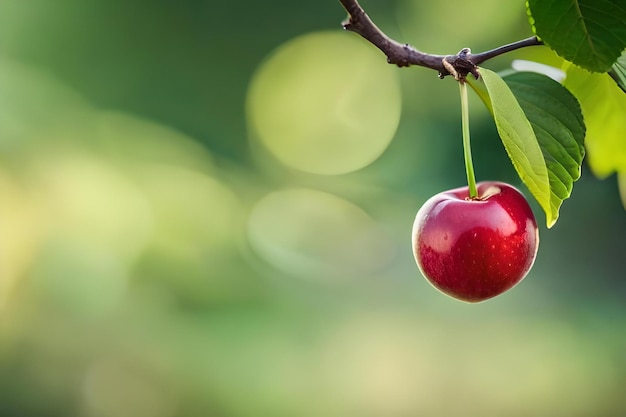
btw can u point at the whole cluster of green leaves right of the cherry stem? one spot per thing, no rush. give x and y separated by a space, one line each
547 127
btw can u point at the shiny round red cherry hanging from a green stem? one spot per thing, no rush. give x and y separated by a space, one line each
475 249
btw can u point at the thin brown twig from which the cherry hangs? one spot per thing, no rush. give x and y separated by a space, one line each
404 55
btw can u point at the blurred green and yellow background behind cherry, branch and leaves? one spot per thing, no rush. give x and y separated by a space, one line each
205 210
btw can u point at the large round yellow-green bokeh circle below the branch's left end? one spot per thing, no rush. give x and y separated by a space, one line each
325 103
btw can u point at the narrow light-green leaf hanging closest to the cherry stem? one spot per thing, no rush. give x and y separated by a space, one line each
518 138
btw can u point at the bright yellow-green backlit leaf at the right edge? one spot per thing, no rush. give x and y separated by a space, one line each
604 108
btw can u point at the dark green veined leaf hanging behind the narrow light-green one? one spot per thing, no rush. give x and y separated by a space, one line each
557 121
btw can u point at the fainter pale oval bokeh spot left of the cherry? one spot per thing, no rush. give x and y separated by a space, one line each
317 236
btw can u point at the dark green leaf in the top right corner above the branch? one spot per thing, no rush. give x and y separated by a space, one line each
589 33
